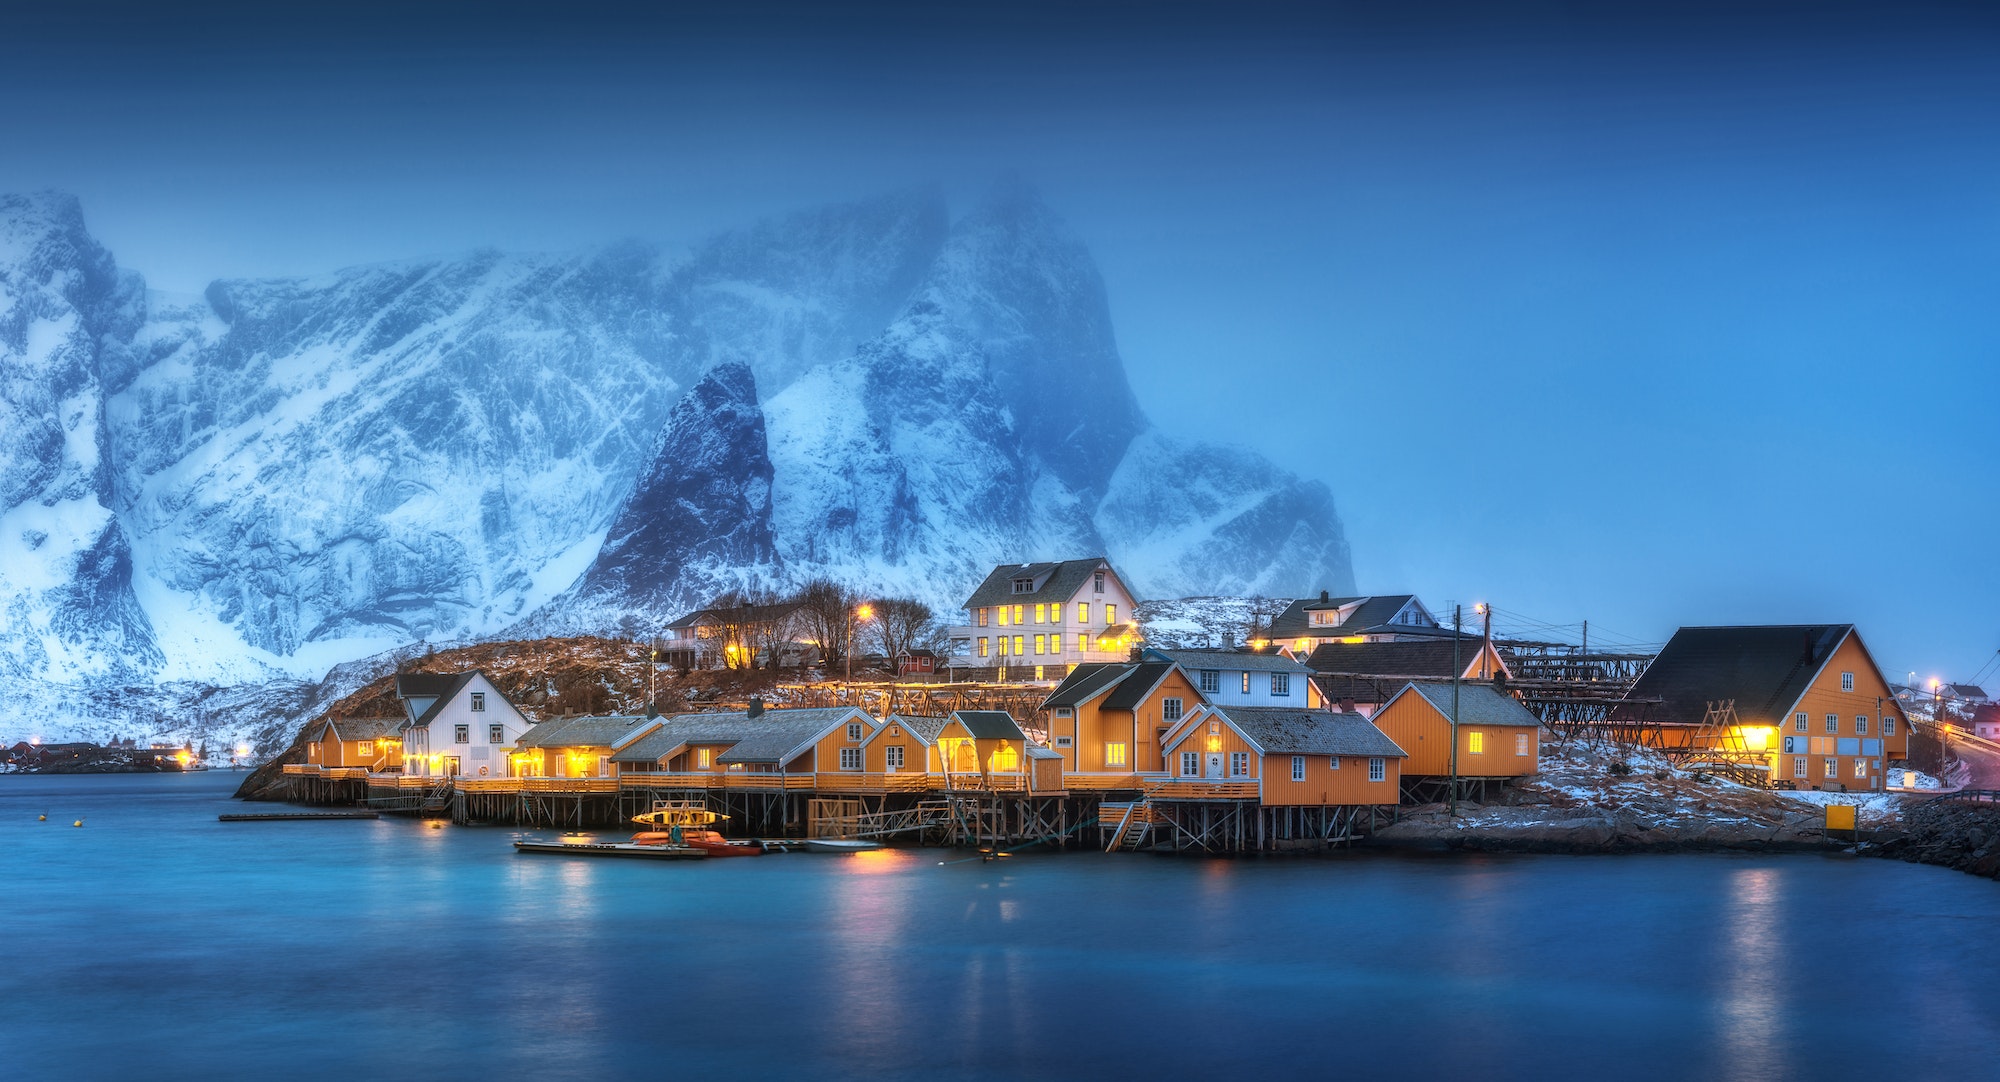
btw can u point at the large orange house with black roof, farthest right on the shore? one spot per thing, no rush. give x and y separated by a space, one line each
1805 701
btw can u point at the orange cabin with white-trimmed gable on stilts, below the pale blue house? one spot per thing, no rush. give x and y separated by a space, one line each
1289 757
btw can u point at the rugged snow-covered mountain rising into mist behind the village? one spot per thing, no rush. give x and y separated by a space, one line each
285 475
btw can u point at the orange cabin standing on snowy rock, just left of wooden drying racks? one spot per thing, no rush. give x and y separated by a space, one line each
1497 735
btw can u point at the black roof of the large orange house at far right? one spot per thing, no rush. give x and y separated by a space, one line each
1763 669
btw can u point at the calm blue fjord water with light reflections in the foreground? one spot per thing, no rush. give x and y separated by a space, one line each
161 943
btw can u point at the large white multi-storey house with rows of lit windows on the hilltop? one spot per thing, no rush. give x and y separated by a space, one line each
1049 617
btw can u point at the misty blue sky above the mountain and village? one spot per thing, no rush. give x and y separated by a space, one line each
1645 315
